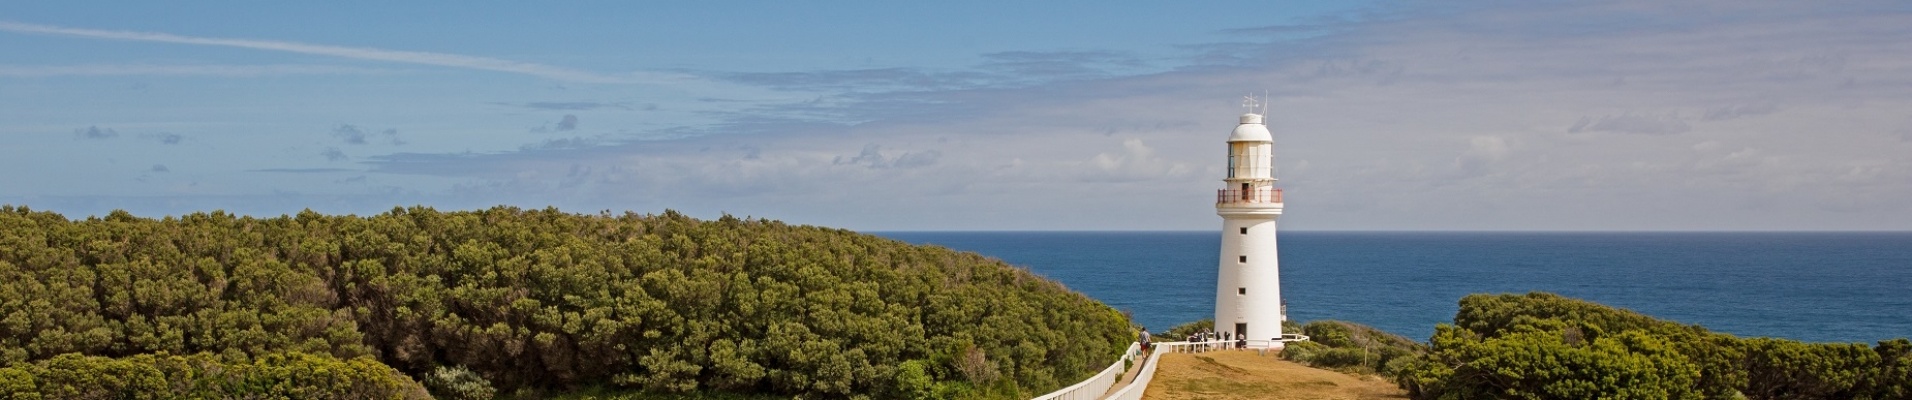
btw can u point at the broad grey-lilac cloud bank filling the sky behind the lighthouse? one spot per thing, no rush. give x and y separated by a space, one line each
1427 118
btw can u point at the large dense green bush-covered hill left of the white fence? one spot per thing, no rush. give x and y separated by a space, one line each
523 303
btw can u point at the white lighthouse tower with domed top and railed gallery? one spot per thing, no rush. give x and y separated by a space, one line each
1248 296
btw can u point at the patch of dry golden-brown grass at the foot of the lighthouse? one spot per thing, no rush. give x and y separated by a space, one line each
1242 374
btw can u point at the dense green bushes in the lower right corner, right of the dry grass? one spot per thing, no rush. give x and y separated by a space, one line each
1544 345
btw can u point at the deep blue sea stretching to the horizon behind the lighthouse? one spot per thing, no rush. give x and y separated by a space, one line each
1848 288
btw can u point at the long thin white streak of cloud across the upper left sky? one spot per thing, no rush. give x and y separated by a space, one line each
372 55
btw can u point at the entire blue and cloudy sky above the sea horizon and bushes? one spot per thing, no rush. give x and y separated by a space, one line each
970 116
